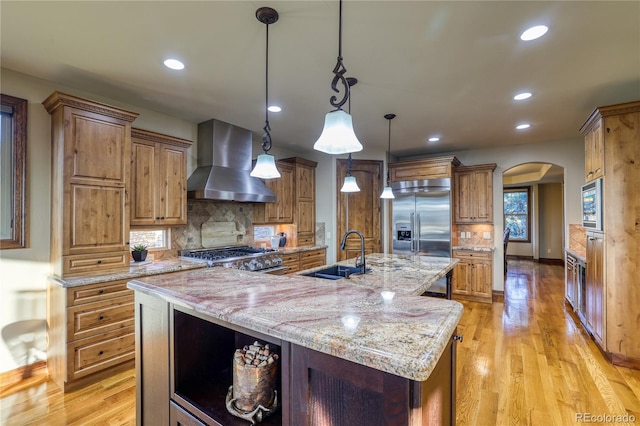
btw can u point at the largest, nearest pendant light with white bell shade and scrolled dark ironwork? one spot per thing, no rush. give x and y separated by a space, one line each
337 135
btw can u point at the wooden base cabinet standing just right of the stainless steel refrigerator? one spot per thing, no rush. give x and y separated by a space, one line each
473 276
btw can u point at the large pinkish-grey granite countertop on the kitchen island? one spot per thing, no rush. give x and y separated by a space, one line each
405 336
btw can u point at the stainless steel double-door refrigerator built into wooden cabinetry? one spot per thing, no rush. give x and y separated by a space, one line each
421 223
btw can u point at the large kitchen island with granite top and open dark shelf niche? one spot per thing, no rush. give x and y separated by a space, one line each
346 355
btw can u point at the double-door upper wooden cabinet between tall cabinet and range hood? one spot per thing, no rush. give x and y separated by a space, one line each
158 179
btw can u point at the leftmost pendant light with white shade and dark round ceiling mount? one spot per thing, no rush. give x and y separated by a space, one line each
265 165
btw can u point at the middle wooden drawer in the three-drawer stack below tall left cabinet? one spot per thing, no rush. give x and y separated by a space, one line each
99 317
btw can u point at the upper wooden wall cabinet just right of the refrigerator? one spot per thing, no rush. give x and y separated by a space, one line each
473 193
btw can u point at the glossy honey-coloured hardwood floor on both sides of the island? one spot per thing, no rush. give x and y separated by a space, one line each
522 362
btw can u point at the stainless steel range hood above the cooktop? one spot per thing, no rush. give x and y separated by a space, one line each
224 165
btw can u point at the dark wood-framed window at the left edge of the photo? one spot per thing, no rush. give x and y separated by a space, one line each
13 157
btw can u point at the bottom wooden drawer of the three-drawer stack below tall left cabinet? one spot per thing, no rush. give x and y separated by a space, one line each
88 356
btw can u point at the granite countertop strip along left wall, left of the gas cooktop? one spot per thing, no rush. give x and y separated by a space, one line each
135 271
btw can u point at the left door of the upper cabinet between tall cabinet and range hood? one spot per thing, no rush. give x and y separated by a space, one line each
144 184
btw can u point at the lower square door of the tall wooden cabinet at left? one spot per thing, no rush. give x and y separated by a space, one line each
96 220
